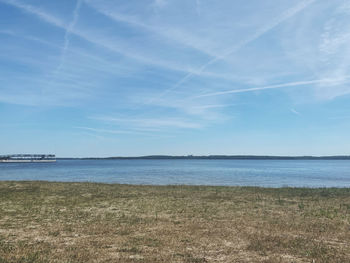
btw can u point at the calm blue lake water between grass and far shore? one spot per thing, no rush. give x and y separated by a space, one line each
274 173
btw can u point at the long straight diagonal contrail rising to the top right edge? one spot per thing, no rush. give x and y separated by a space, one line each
286 15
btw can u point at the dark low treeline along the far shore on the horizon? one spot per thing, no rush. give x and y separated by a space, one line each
218 157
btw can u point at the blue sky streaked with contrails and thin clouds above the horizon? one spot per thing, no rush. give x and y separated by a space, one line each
129 78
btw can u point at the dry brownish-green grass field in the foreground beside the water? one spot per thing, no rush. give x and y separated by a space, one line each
86 222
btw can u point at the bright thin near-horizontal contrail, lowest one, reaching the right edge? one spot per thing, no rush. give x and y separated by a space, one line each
283 85
